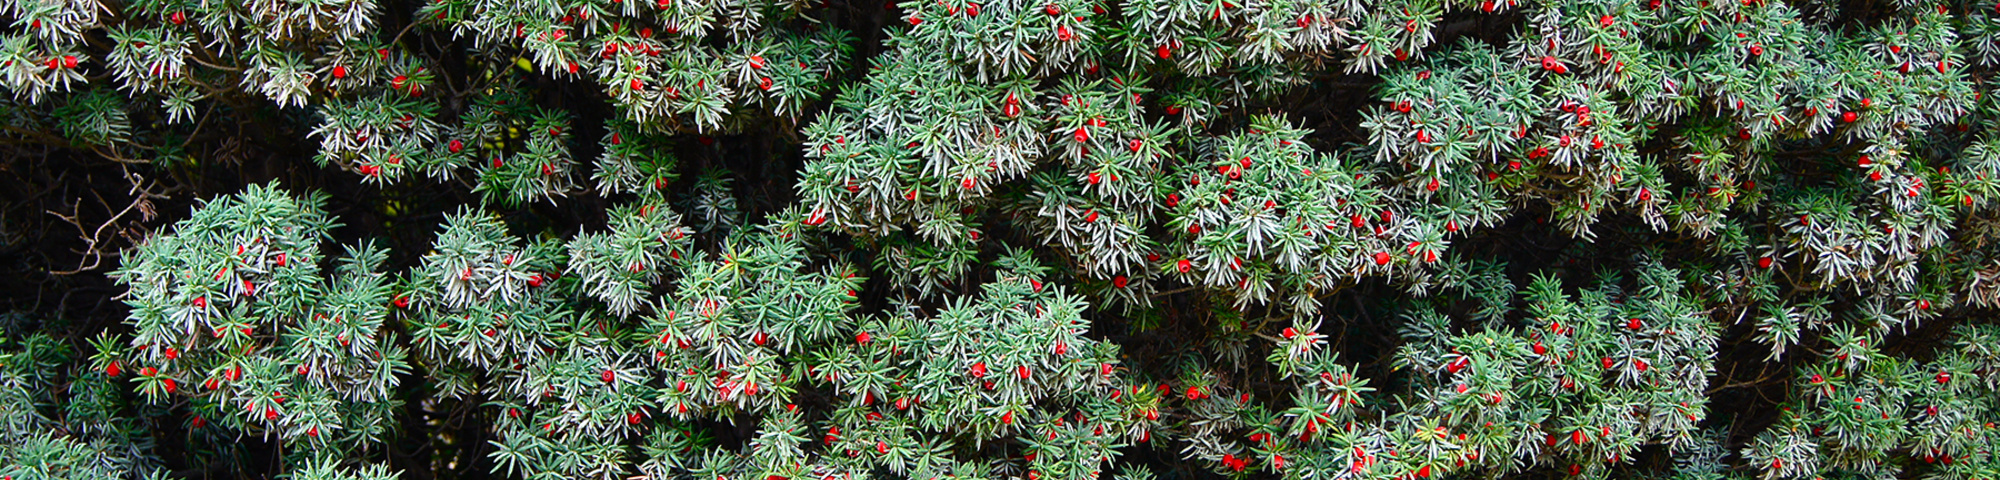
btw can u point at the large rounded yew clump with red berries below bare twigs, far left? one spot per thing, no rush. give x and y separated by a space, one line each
231 311
